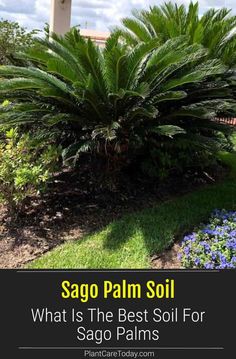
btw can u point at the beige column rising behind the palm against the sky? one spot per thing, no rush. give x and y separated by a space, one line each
60 16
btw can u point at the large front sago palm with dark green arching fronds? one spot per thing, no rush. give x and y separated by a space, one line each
119 103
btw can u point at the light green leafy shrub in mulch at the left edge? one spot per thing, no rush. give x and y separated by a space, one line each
25 168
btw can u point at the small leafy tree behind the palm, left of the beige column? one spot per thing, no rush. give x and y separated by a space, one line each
13 38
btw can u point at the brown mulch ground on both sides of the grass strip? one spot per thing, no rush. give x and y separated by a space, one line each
76 205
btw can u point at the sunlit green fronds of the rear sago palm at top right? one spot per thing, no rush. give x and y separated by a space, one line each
214 30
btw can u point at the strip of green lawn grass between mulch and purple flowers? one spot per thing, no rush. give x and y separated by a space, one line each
129 242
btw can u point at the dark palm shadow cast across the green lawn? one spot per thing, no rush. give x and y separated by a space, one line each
159 227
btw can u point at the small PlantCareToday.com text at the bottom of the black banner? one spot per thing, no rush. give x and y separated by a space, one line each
118 354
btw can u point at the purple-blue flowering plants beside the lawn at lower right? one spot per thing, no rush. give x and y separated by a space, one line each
212 246
